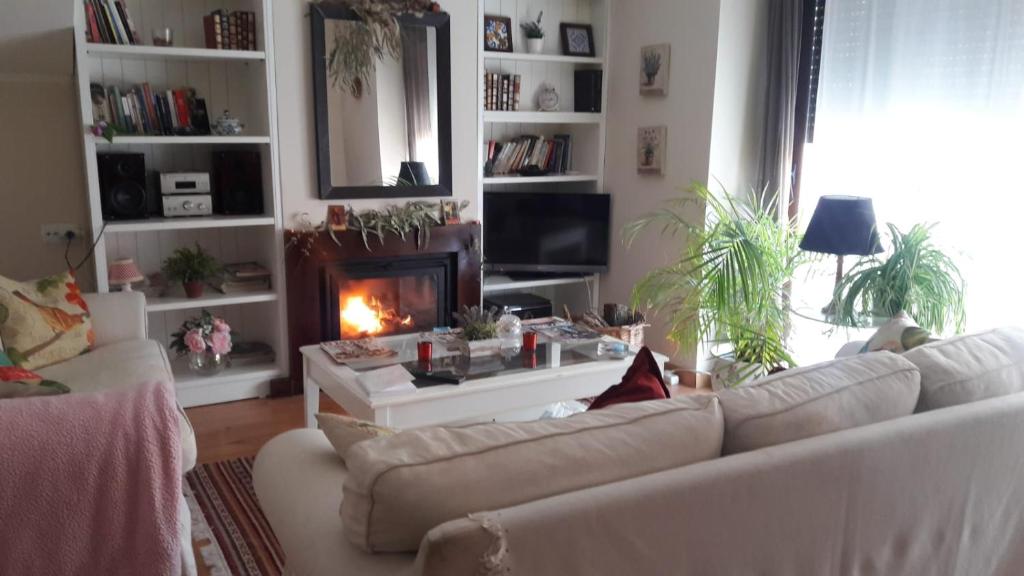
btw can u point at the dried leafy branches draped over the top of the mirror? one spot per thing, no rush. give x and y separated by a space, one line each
353 59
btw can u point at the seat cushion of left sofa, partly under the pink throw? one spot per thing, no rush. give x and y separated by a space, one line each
123 364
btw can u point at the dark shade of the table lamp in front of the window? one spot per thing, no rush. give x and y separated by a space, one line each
843 226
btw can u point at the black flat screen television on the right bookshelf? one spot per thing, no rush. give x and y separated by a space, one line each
547 232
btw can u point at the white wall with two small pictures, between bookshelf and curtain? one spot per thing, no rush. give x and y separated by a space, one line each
692 28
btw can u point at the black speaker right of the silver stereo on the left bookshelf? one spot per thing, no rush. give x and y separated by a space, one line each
238 183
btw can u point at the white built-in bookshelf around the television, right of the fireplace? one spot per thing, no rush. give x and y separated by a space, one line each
587 130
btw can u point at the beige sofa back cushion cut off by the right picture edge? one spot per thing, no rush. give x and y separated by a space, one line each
970 368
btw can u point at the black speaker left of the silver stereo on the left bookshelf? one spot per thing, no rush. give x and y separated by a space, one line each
122 186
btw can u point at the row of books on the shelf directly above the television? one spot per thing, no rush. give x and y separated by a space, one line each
532 155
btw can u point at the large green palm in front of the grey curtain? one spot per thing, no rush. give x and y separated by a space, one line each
729 286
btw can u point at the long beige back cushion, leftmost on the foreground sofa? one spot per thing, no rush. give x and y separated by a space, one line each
401 487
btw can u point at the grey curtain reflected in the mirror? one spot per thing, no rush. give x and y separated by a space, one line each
417 76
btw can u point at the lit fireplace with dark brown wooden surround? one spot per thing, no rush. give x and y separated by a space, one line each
343 291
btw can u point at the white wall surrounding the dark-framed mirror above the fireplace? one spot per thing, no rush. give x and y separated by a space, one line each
295 111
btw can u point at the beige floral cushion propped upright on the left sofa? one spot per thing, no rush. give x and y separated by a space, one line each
45 322
